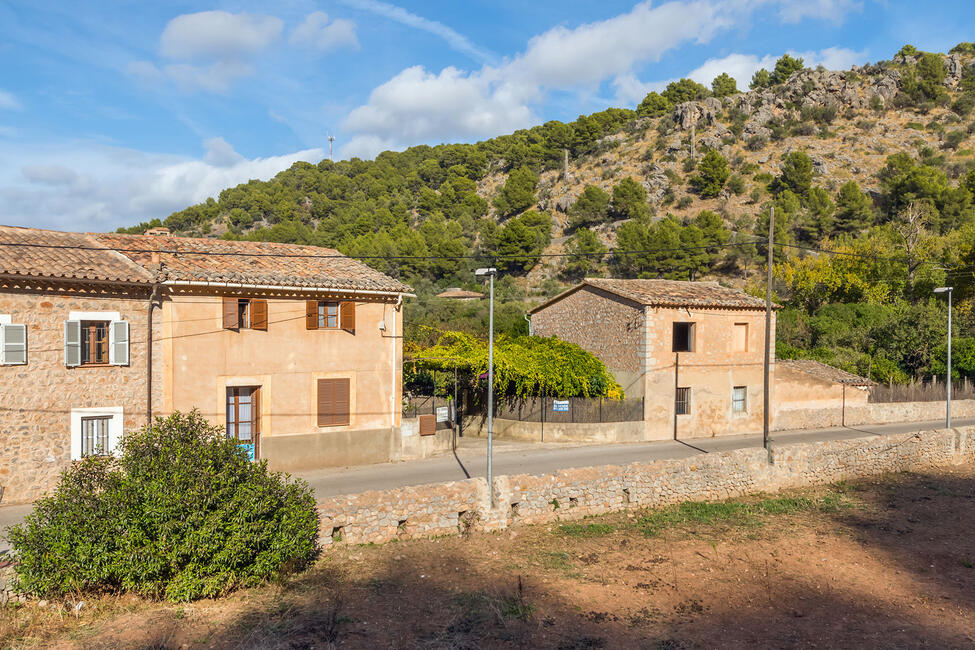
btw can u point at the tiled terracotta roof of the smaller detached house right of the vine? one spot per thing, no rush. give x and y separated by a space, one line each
678 293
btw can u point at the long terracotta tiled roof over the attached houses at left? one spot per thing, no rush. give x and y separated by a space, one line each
144 258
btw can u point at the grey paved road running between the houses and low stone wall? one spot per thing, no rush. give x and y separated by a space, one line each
542 458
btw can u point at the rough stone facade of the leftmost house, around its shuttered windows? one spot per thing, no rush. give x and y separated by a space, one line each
35 429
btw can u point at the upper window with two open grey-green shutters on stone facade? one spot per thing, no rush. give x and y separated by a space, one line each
93 341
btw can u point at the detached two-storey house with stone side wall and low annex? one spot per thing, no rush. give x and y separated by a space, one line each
694 351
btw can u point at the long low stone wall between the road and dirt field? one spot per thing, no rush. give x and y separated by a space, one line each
451 508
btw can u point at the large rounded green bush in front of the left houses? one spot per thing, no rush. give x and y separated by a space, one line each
180 514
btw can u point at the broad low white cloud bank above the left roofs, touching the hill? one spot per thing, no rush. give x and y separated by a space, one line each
101 188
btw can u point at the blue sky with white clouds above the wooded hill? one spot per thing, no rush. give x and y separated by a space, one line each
112 113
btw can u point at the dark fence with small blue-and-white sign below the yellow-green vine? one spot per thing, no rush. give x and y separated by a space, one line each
571 409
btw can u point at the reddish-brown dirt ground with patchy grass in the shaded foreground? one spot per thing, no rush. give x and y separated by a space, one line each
881 563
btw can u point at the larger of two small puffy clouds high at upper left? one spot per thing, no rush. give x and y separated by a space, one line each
218 35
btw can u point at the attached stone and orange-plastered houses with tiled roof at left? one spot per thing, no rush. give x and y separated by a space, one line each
296 350
